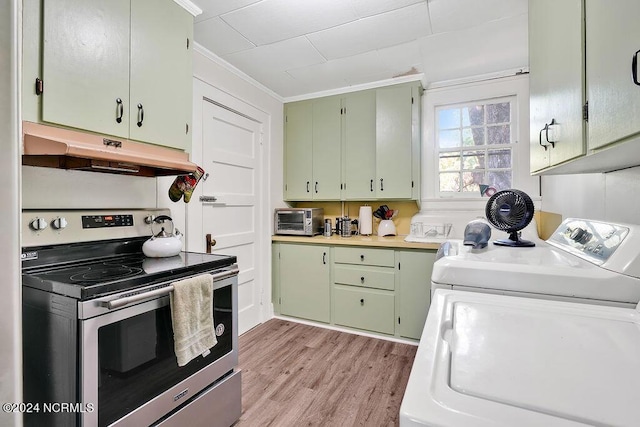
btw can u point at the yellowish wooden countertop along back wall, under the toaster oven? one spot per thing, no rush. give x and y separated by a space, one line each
371 241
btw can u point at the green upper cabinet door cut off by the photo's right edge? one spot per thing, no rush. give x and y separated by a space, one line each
612 41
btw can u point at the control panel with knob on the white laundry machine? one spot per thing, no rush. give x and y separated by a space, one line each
591 240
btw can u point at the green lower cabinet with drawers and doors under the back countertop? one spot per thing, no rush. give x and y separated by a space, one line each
383 291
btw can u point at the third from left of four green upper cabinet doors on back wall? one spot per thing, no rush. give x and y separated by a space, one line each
360 145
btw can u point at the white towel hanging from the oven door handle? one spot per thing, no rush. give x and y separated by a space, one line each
192 317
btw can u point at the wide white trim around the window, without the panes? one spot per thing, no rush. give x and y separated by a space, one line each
470 93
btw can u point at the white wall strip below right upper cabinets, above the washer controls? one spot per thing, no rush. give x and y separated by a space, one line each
613 196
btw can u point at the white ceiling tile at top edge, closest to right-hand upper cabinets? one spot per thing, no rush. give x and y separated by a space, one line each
452 15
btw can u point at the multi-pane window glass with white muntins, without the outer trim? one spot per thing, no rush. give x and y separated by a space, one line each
474 145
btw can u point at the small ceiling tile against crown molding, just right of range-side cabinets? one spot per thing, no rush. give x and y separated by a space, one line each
215 35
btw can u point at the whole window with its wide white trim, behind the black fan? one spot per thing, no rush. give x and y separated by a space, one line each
476 139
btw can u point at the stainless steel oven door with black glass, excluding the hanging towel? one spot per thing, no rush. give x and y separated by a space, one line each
129 371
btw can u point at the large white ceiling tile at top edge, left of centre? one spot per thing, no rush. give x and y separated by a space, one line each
270 21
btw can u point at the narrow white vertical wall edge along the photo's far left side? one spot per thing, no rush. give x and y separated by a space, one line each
10 285
